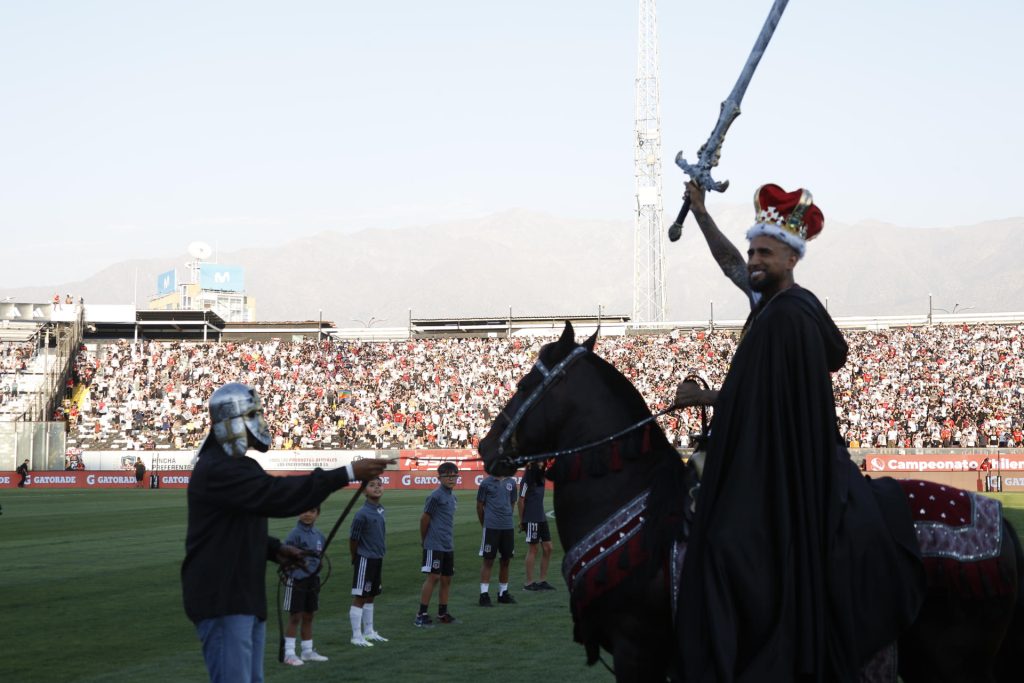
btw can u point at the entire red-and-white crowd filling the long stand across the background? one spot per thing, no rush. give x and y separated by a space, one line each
943 387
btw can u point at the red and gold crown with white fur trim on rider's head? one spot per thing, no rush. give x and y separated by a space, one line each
791 218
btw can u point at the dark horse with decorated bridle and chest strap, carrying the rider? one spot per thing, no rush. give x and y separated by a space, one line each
622 506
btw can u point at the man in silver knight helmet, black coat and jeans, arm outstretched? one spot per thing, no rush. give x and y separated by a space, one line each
224 577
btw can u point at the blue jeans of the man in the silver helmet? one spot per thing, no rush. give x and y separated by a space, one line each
233 649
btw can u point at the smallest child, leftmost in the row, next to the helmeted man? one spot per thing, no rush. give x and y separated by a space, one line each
303 590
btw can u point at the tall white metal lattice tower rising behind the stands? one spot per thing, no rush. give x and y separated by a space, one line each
649 240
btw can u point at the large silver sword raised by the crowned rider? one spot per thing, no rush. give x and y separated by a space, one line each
709 155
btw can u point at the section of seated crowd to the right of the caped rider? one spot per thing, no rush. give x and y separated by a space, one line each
945 387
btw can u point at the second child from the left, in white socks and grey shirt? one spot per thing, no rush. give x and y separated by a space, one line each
367 545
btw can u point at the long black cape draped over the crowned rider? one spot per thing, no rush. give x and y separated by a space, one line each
798 568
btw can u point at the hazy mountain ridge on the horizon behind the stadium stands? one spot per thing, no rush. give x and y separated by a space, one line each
547 266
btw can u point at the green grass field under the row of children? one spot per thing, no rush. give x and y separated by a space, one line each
90 591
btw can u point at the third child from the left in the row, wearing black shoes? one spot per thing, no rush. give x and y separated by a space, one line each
438 536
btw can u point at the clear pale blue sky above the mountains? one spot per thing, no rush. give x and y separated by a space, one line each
131 129
